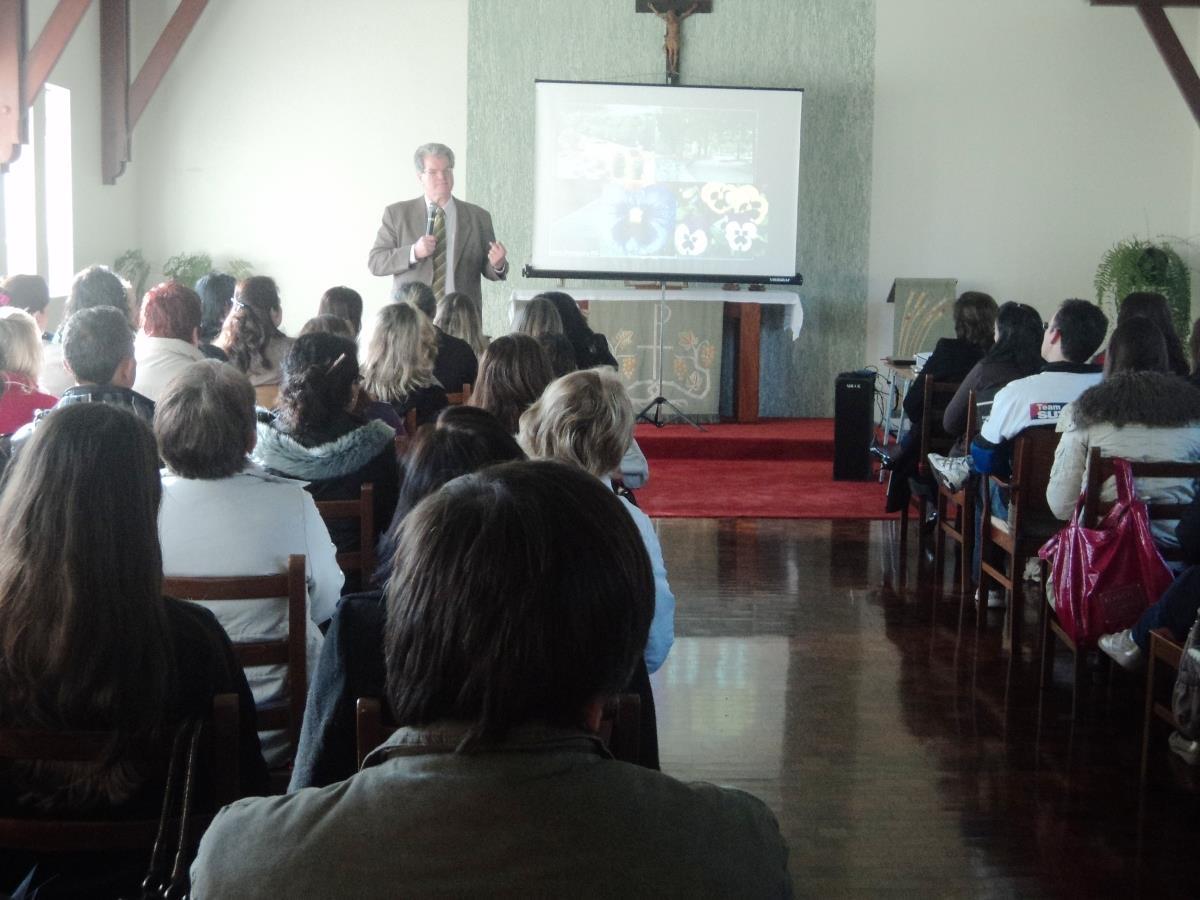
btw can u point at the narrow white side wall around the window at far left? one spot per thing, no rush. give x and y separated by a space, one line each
105 217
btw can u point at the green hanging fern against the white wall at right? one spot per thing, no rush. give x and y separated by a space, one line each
1136 265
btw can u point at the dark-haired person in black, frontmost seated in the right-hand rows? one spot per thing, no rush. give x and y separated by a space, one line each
953 358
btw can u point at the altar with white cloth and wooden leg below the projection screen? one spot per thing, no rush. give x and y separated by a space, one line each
697 322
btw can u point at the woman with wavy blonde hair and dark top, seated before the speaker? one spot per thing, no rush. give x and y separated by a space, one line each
400 363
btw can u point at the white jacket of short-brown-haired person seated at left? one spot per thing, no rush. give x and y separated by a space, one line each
250 524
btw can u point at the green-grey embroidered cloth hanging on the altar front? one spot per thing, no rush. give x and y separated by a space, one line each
692 370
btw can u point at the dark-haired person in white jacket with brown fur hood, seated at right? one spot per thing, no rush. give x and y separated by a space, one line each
1139 412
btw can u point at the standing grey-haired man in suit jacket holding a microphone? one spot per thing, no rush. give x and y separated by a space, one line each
407 249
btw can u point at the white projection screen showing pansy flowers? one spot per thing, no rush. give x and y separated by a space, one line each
655 182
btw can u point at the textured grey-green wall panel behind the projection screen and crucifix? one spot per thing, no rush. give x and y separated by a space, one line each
824 46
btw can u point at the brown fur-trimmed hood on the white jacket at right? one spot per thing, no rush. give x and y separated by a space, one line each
1151 399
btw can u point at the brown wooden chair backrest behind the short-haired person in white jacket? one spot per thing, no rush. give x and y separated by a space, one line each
289 651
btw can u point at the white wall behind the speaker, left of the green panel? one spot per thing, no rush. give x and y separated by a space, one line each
286 127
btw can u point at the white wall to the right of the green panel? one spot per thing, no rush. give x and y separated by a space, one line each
1016 142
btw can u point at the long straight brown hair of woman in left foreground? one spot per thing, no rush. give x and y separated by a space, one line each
83 634
